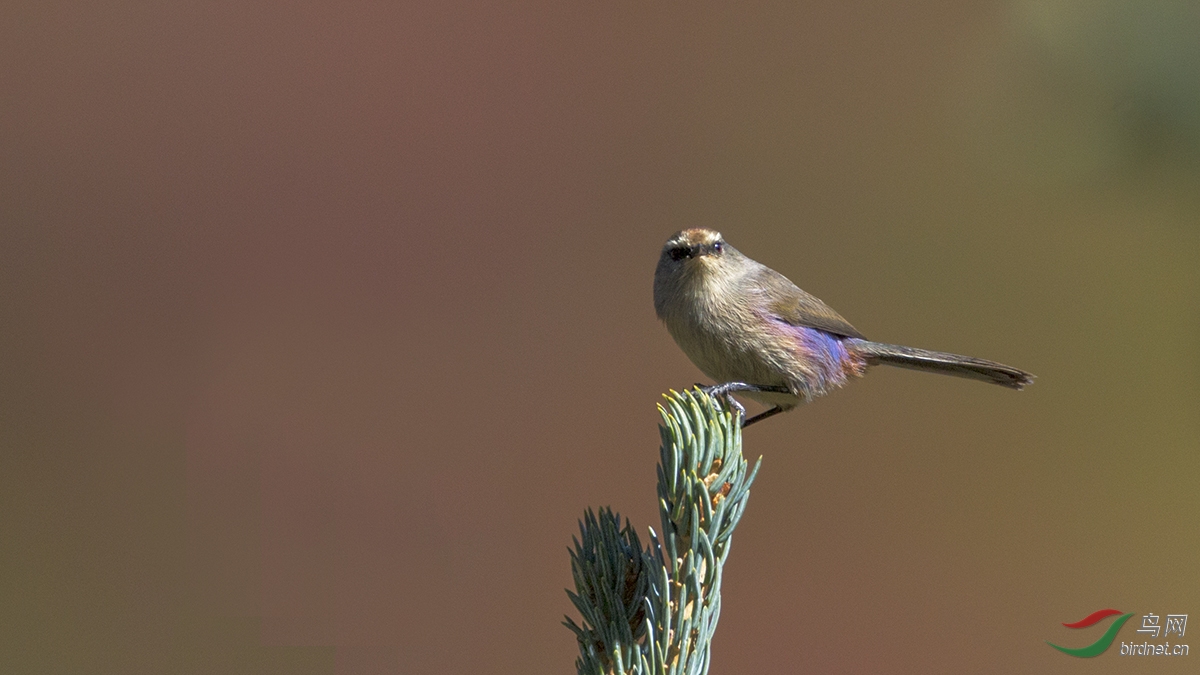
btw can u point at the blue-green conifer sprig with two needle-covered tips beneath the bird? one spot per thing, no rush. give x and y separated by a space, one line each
655 611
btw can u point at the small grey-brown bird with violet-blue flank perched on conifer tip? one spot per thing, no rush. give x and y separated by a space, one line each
757 333
